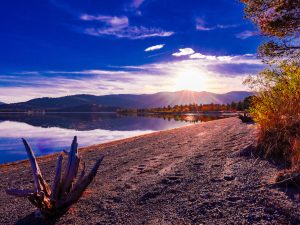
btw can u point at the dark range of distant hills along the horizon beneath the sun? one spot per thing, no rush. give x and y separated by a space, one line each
87 103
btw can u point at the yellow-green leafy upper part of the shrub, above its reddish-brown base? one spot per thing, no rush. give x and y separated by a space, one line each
279 96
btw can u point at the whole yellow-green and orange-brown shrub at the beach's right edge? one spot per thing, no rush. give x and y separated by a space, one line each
276 109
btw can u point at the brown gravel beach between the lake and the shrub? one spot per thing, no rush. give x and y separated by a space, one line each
191 175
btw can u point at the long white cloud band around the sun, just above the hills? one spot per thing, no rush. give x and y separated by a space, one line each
218 74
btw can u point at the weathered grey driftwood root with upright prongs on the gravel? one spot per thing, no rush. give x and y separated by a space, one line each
66 190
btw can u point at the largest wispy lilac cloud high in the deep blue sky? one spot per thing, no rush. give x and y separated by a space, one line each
119 27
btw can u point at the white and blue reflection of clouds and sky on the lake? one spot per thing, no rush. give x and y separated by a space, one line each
48 140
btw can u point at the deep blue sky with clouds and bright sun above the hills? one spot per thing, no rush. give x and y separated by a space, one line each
63 47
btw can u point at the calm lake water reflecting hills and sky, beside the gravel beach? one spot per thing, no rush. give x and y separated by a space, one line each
48 133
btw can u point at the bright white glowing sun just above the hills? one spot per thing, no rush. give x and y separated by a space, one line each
190 78
